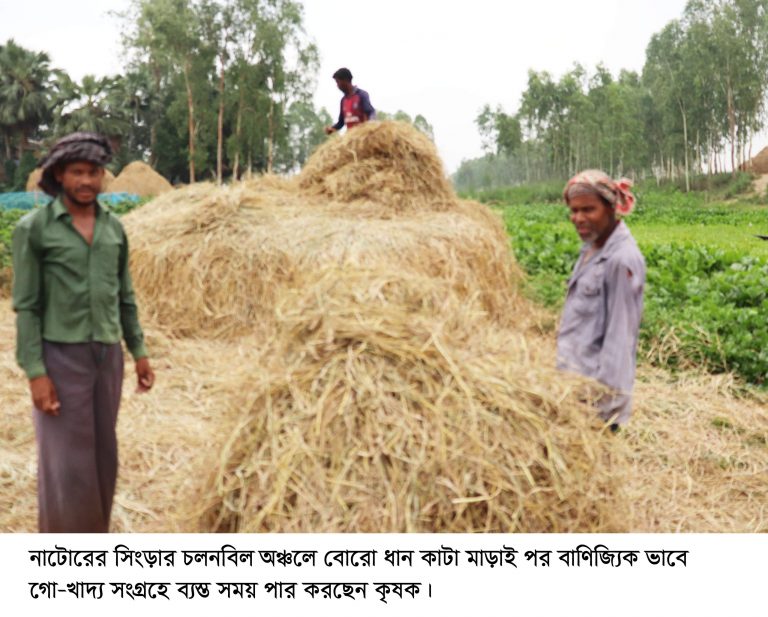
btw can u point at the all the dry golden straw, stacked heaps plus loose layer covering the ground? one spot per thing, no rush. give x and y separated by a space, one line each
334 356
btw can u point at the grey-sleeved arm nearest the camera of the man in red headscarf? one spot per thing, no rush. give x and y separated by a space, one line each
624 284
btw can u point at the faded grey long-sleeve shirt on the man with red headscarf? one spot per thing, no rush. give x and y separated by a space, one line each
601 319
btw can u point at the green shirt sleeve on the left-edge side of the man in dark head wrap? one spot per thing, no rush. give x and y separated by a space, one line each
27 301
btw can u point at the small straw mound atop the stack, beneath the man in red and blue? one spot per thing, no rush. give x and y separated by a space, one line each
383 162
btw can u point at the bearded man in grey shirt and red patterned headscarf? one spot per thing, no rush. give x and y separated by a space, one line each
601 317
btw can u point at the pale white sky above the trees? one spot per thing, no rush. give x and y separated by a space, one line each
443 60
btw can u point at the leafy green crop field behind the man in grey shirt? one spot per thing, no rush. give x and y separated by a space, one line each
706 301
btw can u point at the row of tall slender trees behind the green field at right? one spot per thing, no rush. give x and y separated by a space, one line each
693 109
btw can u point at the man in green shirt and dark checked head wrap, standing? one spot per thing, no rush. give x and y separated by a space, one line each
74 301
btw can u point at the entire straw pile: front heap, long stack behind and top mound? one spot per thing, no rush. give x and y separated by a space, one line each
396 388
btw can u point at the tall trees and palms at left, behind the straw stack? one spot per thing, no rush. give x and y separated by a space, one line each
212 89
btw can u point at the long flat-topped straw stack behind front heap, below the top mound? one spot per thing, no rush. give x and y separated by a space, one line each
210 261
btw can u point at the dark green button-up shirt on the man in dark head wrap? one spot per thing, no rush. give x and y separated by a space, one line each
67 291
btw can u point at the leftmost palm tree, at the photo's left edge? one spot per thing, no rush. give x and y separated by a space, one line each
25 93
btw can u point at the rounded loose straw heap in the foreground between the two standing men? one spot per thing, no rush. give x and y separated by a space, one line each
386 403
